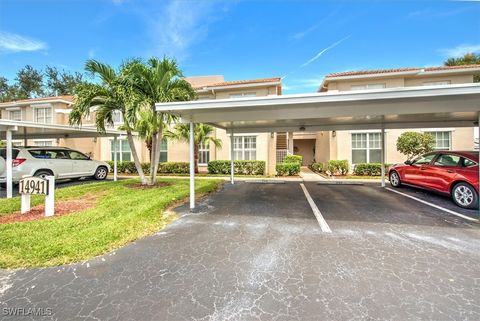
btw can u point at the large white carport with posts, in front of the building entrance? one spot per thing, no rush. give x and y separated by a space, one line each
393 108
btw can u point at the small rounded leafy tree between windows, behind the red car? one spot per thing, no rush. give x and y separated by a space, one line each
413 144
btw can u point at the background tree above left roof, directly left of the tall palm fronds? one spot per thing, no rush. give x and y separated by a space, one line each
61 82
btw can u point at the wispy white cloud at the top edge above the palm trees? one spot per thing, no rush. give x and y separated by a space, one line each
182 24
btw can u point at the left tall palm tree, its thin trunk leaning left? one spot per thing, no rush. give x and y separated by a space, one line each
109 97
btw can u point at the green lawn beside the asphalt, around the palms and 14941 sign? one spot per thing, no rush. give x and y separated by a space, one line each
121 215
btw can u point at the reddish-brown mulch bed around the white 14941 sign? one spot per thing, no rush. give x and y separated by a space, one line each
61 208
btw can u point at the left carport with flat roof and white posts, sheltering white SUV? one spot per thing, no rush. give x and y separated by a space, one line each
23 130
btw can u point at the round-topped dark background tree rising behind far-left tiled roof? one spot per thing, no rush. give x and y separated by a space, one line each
29 83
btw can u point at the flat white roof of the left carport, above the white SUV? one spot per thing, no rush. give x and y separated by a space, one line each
31 130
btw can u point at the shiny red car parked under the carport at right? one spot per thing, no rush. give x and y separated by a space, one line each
450 172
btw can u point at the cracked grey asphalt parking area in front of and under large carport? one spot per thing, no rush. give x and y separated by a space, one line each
257 252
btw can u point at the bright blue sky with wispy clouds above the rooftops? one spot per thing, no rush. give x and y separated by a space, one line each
301 40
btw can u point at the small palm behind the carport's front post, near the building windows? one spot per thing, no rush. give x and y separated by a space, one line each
202 136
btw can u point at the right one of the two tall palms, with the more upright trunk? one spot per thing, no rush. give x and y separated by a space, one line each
158 81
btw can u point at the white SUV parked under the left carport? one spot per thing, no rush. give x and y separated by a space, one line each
60 162
